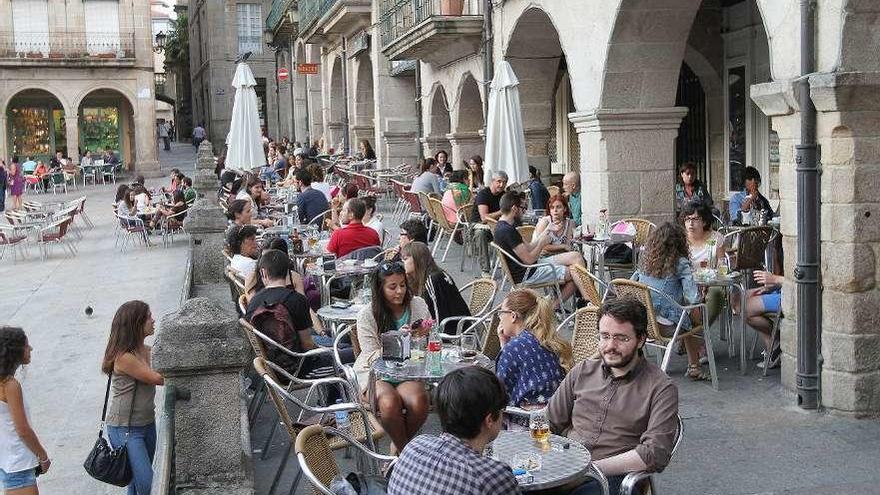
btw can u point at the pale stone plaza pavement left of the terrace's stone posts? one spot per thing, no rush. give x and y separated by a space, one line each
63 385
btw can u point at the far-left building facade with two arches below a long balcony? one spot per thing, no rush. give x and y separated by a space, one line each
77 75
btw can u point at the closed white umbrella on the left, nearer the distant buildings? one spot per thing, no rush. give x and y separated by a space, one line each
245 143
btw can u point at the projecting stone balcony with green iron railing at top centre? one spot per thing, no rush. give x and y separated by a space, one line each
436 31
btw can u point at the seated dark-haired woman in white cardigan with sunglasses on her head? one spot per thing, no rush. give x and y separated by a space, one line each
402 406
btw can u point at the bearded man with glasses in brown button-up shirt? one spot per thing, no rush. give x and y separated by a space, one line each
622 408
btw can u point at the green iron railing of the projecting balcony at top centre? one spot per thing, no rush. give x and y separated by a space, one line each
397 17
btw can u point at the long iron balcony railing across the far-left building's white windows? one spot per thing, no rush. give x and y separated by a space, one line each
69 46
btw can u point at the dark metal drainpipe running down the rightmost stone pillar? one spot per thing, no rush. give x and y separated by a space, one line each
806 273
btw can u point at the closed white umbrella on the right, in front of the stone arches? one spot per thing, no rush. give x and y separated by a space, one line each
505 139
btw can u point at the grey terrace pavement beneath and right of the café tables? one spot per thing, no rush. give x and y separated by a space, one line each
747 438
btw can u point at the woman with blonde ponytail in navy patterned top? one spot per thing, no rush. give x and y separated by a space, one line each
534 358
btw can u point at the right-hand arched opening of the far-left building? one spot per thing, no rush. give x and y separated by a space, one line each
98 106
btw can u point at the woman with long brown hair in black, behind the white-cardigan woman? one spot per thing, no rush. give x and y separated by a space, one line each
432 284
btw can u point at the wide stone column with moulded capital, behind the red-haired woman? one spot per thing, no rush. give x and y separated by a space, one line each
628 161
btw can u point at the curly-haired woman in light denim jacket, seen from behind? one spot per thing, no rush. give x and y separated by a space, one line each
665 265
